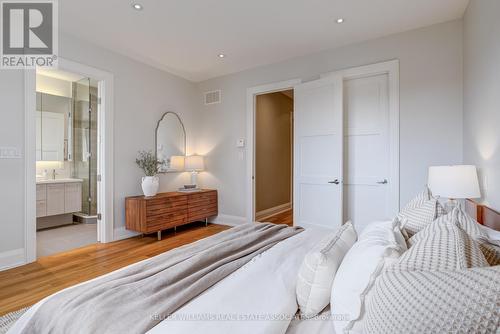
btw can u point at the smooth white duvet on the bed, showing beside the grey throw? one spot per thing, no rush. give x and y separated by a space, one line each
260 295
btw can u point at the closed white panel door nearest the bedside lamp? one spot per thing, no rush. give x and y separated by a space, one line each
367 180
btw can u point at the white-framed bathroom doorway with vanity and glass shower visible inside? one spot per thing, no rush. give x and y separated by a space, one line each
88 86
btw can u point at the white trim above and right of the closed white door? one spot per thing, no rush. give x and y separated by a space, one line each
391 68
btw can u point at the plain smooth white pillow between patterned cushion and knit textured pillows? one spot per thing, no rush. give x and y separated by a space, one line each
379 245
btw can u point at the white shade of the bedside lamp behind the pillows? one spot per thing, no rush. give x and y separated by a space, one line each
455 182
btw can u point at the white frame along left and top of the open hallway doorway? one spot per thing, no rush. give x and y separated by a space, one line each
252 93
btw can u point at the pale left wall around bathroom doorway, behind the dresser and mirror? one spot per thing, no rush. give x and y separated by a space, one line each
141 95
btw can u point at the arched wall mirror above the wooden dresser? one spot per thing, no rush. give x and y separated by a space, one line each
170 142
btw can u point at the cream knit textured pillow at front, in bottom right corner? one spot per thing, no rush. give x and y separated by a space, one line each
452 301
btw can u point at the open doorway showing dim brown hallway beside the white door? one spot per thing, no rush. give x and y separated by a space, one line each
274 157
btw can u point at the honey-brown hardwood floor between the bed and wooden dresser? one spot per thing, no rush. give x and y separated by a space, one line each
26 285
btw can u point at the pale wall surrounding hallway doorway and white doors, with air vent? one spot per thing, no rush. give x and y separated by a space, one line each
430 104
